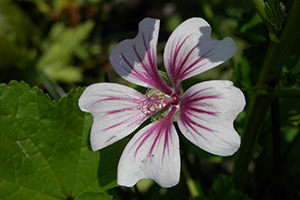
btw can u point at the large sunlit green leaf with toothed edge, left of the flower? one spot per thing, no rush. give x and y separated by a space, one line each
44 148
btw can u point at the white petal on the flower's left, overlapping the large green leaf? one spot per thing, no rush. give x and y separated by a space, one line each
116 109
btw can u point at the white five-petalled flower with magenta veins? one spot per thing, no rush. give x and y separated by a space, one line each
204 113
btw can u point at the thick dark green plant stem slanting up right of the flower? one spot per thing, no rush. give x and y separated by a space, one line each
275 58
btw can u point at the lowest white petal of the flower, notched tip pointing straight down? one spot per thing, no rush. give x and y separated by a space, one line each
152 153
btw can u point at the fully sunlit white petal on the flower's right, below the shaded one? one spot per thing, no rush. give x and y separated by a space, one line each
206 116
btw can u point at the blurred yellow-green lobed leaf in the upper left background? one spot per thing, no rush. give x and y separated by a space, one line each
64 42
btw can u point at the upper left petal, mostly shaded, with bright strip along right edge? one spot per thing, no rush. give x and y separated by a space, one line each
135 60
